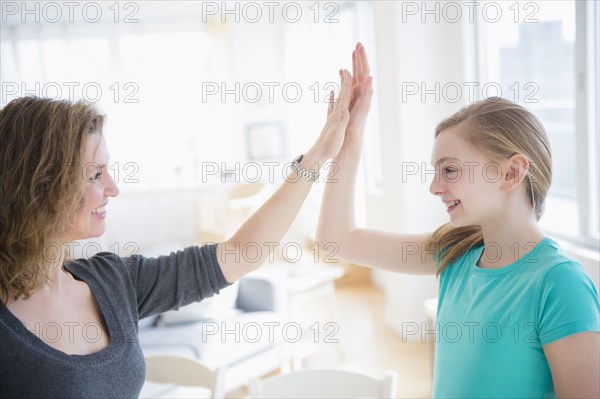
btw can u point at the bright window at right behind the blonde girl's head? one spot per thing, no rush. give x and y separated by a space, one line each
544 55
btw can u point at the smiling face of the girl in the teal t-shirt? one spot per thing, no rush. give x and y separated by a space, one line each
468 182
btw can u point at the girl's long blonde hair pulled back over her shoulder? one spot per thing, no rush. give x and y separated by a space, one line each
500 129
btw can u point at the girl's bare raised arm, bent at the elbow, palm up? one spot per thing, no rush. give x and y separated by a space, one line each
337 229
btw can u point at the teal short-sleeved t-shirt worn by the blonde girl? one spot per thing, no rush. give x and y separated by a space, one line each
492 324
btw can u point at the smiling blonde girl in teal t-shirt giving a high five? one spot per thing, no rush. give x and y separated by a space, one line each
525 317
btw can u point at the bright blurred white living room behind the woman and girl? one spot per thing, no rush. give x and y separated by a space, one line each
207 103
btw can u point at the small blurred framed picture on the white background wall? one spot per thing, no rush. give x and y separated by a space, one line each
265 141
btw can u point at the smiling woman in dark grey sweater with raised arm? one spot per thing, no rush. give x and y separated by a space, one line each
69 328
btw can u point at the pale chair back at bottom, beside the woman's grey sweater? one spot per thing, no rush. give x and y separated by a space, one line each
184 372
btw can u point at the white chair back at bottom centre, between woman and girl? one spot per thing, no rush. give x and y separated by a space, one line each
321 383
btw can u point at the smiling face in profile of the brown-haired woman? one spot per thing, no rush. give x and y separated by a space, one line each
98 186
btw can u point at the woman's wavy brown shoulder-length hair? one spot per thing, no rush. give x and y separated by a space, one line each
43 142
